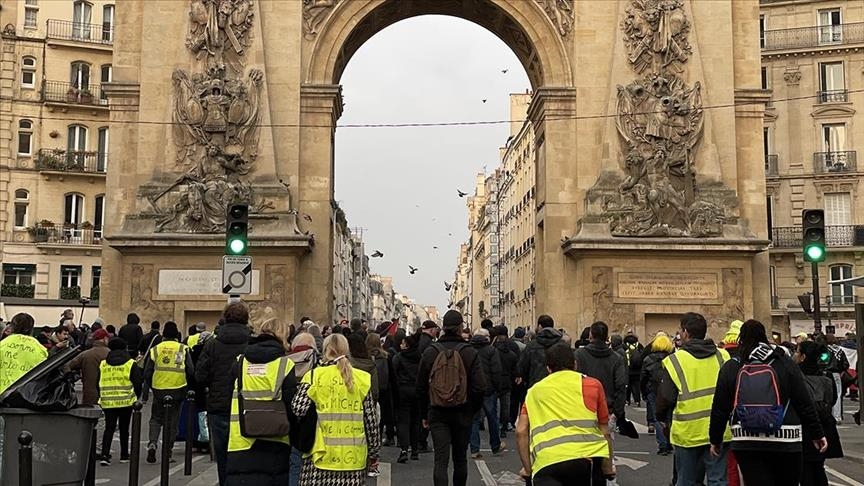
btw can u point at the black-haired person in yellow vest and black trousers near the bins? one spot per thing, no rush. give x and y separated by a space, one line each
120 380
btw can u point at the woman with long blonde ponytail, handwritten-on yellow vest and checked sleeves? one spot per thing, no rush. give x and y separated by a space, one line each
348 439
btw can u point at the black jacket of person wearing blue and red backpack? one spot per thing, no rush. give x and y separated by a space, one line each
793 391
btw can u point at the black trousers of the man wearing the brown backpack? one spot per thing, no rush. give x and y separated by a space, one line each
450 430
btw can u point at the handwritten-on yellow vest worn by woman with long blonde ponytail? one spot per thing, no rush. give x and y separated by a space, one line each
340 443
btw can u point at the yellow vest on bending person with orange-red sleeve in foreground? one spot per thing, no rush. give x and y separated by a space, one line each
562 427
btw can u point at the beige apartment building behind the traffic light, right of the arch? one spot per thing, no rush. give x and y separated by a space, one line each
812 63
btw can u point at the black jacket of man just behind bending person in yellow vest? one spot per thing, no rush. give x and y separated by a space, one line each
600 362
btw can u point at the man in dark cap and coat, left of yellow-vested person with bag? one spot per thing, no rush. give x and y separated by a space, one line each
213 371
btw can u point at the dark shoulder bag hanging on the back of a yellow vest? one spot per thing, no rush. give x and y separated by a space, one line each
267 418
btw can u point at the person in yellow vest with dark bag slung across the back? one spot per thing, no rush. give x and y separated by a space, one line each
267 374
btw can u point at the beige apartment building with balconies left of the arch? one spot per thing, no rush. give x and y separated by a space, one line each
54 137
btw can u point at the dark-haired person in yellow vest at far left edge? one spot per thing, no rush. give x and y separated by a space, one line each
20 352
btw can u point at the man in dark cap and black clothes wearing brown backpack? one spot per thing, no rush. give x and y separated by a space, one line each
448 403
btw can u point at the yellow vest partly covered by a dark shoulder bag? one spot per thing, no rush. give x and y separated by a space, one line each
260 382
